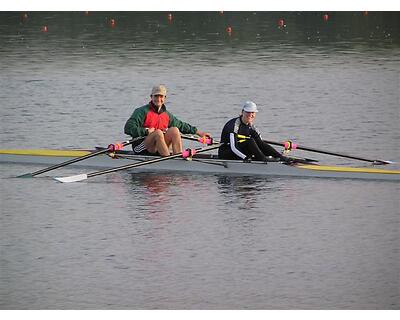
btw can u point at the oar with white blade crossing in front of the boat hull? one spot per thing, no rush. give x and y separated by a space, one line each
185 154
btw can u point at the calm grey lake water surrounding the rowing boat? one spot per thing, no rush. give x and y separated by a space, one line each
172 241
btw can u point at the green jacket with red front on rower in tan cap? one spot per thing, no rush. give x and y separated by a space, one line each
147 117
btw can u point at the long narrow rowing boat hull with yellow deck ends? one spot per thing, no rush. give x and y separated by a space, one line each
201 163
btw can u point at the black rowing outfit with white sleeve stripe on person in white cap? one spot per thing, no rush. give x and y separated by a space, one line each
235 148
